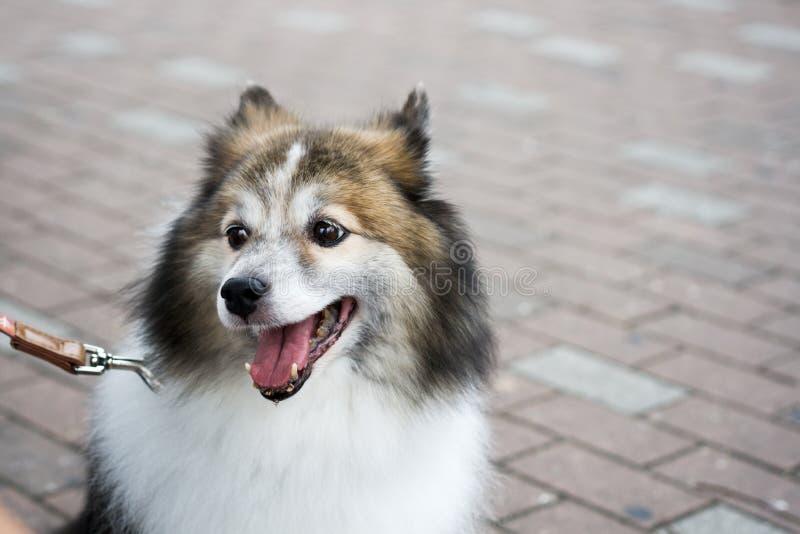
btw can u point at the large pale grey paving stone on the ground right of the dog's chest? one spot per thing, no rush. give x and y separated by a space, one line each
584 374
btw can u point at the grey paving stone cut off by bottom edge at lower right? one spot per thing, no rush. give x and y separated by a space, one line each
721 518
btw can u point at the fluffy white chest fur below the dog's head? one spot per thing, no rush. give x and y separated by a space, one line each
334 458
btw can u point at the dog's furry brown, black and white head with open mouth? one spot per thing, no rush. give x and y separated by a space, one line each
319 247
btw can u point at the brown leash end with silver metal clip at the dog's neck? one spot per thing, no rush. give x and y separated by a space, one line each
71 356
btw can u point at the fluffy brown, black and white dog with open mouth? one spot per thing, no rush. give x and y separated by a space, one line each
325 353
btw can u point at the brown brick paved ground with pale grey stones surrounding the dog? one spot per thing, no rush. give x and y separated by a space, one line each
642 156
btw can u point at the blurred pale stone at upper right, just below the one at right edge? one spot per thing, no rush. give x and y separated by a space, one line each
724 67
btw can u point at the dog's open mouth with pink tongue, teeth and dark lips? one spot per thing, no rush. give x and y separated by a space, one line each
285 355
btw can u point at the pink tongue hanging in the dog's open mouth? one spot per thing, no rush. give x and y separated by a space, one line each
278 349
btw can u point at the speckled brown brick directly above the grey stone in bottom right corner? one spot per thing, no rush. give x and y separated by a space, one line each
707 466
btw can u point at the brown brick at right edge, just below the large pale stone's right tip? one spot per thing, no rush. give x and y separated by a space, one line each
734 430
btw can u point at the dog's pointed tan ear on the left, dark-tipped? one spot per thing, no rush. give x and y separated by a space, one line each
258 113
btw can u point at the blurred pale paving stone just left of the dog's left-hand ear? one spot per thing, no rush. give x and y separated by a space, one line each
165 127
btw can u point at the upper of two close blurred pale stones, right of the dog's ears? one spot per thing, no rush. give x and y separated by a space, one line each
672 157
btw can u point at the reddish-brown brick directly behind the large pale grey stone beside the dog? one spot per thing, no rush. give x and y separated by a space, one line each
622 344
